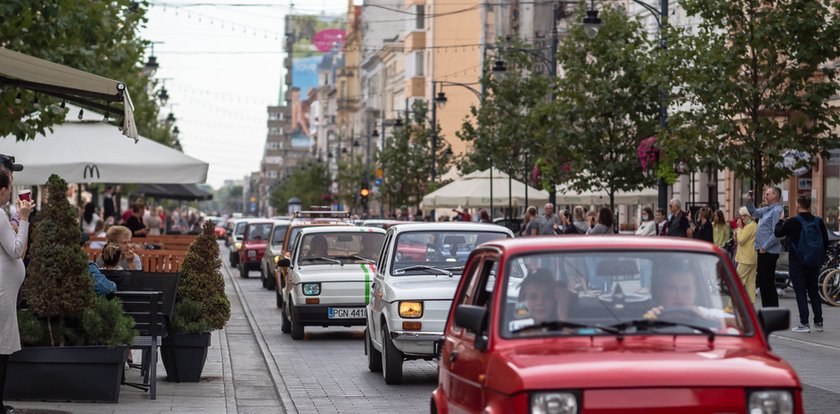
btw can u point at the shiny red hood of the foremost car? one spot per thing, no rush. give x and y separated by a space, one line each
540 366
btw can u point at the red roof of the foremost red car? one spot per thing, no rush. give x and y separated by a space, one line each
592 243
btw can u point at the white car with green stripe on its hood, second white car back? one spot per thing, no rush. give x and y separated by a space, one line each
329 277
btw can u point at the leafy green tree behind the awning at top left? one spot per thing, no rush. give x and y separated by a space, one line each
98 37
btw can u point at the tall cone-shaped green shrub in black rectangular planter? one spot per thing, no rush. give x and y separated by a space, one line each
75 344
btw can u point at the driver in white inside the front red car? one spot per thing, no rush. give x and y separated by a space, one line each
677 295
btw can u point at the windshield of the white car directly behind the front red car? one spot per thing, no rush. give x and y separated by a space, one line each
437 251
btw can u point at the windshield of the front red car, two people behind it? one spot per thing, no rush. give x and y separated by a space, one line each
591 293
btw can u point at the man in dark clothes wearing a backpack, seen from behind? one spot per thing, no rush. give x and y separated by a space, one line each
804 278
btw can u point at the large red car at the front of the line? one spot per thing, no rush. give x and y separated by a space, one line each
609 325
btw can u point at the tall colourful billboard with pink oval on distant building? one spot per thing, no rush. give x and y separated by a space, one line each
316 45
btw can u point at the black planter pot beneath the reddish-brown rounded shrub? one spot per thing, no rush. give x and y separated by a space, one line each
184 355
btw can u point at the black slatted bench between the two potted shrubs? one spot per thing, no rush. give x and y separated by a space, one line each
149 298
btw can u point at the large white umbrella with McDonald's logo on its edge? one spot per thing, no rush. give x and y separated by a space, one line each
96 152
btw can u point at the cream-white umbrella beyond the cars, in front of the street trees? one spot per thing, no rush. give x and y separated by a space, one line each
473 191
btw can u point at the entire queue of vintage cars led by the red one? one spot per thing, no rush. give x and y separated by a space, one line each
541 324
